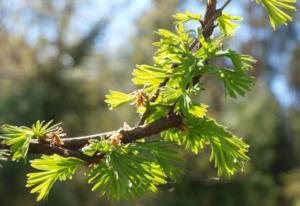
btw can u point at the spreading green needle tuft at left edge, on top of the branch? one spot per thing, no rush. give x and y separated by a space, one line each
20 137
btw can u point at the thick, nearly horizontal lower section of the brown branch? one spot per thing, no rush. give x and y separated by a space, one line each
71 146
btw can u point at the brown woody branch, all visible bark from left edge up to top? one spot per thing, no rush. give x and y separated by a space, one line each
72 146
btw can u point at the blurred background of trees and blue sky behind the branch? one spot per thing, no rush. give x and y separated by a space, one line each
58 59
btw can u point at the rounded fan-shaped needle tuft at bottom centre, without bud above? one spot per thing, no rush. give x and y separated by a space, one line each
125 175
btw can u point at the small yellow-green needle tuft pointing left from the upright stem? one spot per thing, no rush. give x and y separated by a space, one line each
116 99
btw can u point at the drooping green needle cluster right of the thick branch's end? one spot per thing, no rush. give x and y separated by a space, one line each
227 151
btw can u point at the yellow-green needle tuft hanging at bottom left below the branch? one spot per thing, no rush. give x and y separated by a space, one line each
52 168
